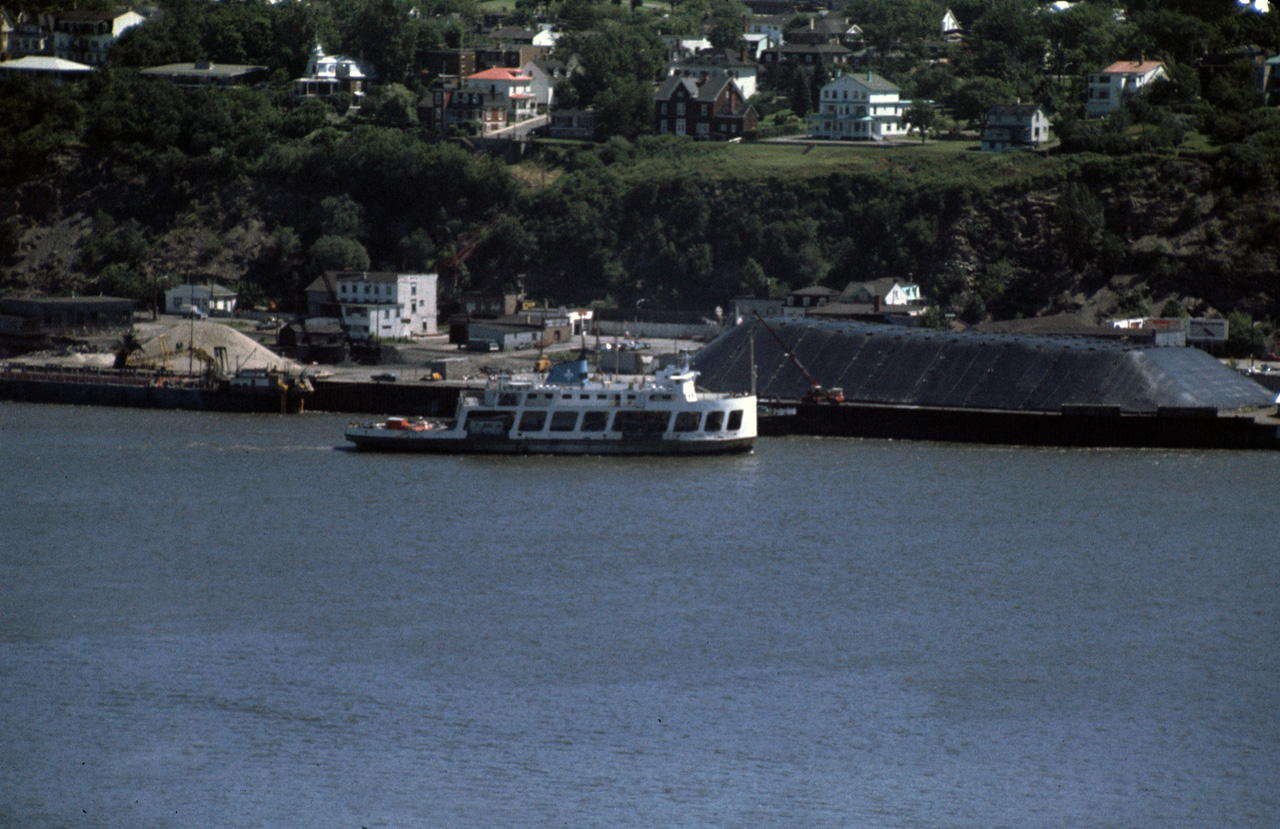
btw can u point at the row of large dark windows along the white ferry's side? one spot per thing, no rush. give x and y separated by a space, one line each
650 423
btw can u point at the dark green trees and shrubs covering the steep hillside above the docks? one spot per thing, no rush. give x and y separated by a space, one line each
124 186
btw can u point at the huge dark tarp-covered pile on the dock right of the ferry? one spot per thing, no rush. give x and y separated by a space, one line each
903 367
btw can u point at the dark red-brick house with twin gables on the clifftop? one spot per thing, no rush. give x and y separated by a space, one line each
710 108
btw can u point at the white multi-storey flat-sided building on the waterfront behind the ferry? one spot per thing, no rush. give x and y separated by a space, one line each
387 306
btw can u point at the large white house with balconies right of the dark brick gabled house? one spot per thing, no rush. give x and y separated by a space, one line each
860 108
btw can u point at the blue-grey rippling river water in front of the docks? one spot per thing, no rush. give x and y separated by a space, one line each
212 620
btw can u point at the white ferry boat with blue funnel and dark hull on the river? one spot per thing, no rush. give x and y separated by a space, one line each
570 414
